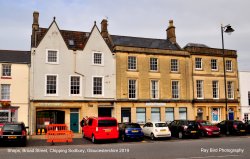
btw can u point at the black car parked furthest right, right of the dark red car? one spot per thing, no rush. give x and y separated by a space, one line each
230 127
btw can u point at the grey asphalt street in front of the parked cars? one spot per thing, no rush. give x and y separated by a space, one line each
235 147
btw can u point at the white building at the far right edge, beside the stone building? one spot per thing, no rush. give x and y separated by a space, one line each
245 95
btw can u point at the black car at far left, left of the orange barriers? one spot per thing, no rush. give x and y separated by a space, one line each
14 132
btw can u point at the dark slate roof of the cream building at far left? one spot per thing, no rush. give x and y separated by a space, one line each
14 56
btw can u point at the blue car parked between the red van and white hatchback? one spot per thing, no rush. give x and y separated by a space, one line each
130 131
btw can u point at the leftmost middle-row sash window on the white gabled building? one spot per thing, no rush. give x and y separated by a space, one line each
51 84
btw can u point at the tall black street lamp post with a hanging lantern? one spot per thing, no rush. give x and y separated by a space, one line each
226 29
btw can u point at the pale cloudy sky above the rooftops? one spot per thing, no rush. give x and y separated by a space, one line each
196 21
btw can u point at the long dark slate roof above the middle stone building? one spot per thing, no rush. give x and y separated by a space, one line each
144 42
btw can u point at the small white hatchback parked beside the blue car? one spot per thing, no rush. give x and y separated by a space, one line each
156 130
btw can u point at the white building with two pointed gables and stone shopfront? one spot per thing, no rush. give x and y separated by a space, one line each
72 76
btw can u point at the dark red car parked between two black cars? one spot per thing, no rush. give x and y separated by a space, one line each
208 129
